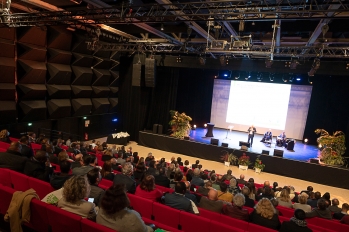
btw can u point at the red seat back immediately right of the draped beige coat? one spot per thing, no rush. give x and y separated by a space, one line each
38 218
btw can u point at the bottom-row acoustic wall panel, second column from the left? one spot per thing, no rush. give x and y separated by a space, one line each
32 110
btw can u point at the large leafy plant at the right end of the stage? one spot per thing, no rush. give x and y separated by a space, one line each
332 147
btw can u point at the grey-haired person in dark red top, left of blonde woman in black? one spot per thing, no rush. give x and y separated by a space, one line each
236 210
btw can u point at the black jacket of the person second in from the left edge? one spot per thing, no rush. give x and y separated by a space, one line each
38 170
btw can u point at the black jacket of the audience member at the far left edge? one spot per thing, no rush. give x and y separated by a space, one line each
12 160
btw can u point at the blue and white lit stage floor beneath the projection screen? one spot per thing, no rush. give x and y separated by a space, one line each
300 152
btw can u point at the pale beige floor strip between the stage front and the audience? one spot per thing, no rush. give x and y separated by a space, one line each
341 194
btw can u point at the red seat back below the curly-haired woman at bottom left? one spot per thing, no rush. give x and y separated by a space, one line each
63 221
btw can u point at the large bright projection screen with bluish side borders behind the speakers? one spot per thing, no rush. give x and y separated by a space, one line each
279 107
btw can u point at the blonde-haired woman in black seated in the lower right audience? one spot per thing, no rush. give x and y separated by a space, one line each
264 215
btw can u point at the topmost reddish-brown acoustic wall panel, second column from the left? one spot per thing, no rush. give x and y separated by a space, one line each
32 35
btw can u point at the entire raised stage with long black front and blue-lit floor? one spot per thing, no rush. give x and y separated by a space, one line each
292 165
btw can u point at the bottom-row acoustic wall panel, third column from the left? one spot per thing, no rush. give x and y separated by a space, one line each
59 108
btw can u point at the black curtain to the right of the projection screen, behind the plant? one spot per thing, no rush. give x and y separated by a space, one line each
328 107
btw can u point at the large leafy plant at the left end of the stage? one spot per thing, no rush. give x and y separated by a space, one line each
179 123
